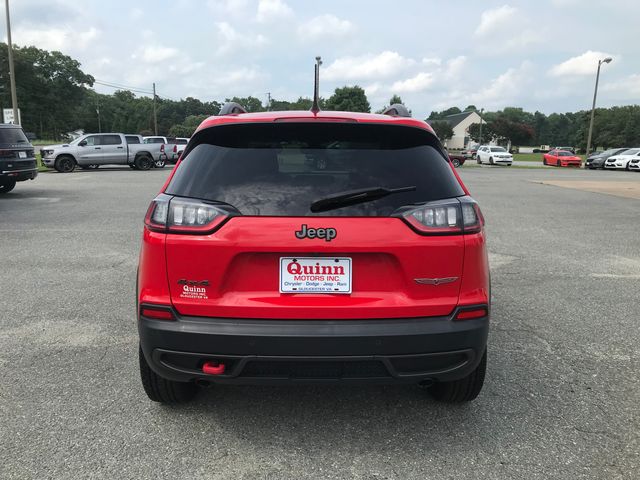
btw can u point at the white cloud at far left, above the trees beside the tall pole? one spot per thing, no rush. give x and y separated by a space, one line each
63 39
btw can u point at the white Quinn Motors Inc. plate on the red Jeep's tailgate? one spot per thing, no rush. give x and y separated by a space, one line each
315 275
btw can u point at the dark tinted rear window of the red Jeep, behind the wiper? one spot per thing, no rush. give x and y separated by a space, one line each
280 169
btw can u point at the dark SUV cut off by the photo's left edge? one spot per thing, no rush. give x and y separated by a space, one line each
17 157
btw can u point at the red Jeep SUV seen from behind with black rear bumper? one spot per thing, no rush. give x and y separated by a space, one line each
313 247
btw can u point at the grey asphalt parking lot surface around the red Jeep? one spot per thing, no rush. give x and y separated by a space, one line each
561 399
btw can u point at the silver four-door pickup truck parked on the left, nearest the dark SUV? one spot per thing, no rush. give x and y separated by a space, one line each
95 149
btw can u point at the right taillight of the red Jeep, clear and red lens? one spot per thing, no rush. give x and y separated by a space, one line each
458 215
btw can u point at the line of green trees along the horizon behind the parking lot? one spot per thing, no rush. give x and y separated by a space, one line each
55 96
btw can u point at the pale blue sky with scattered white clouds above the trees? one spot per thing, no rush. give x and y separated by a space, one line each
538 55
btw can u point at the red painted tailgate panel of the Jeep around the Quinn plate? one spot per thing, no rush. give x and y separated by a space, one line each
236 271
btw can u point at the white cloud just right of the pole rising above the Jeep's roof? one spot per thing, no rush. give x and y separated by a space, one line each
367 67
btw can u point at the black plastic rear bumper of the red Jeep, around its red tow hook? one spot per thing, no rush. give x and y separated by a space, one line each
283 351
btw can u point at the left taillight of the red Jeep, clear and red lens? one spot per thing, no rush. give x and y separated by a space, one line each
182 215
